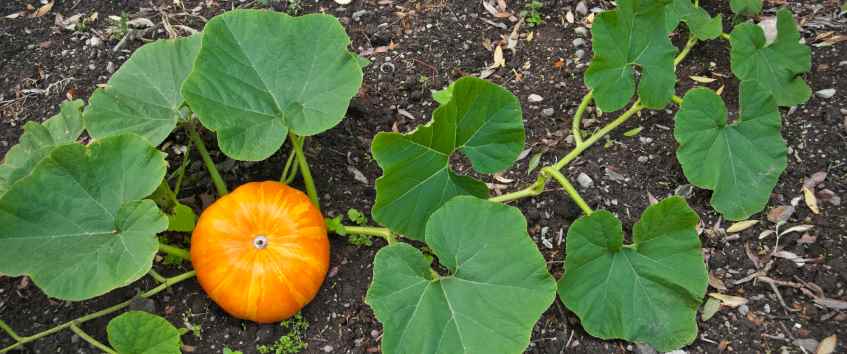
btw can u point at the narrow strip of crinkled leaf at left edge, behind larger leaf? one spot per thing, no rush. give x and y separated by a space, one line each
37 141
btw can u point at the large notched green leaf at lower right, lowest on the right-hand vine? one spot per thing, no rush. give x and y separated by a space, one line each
648 291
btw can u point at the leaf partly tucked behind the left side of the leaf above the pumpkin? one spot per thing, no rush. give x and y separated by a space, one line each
143 97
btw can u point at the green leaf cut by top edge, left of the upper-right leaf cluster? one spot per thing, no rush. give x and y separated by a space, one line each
632 35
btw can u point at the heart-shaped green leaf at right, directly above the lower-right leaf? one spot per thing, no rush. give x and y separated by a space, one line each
741 162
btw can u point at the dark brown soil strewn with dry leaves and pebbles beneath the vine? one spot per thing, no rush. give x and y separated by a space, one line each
436 42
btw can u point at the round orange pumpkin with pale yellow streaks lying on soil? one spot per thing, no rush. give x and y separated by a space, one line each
261 252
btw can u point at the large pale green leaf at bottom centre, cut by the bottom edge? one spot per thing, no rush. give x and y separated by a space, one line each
486 304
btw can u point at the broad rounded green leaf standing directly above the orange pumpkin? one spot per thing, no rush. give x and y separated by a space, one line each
251 87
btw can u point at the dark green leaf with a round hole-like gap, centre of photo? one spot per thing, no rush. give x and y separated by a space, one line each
482 120
